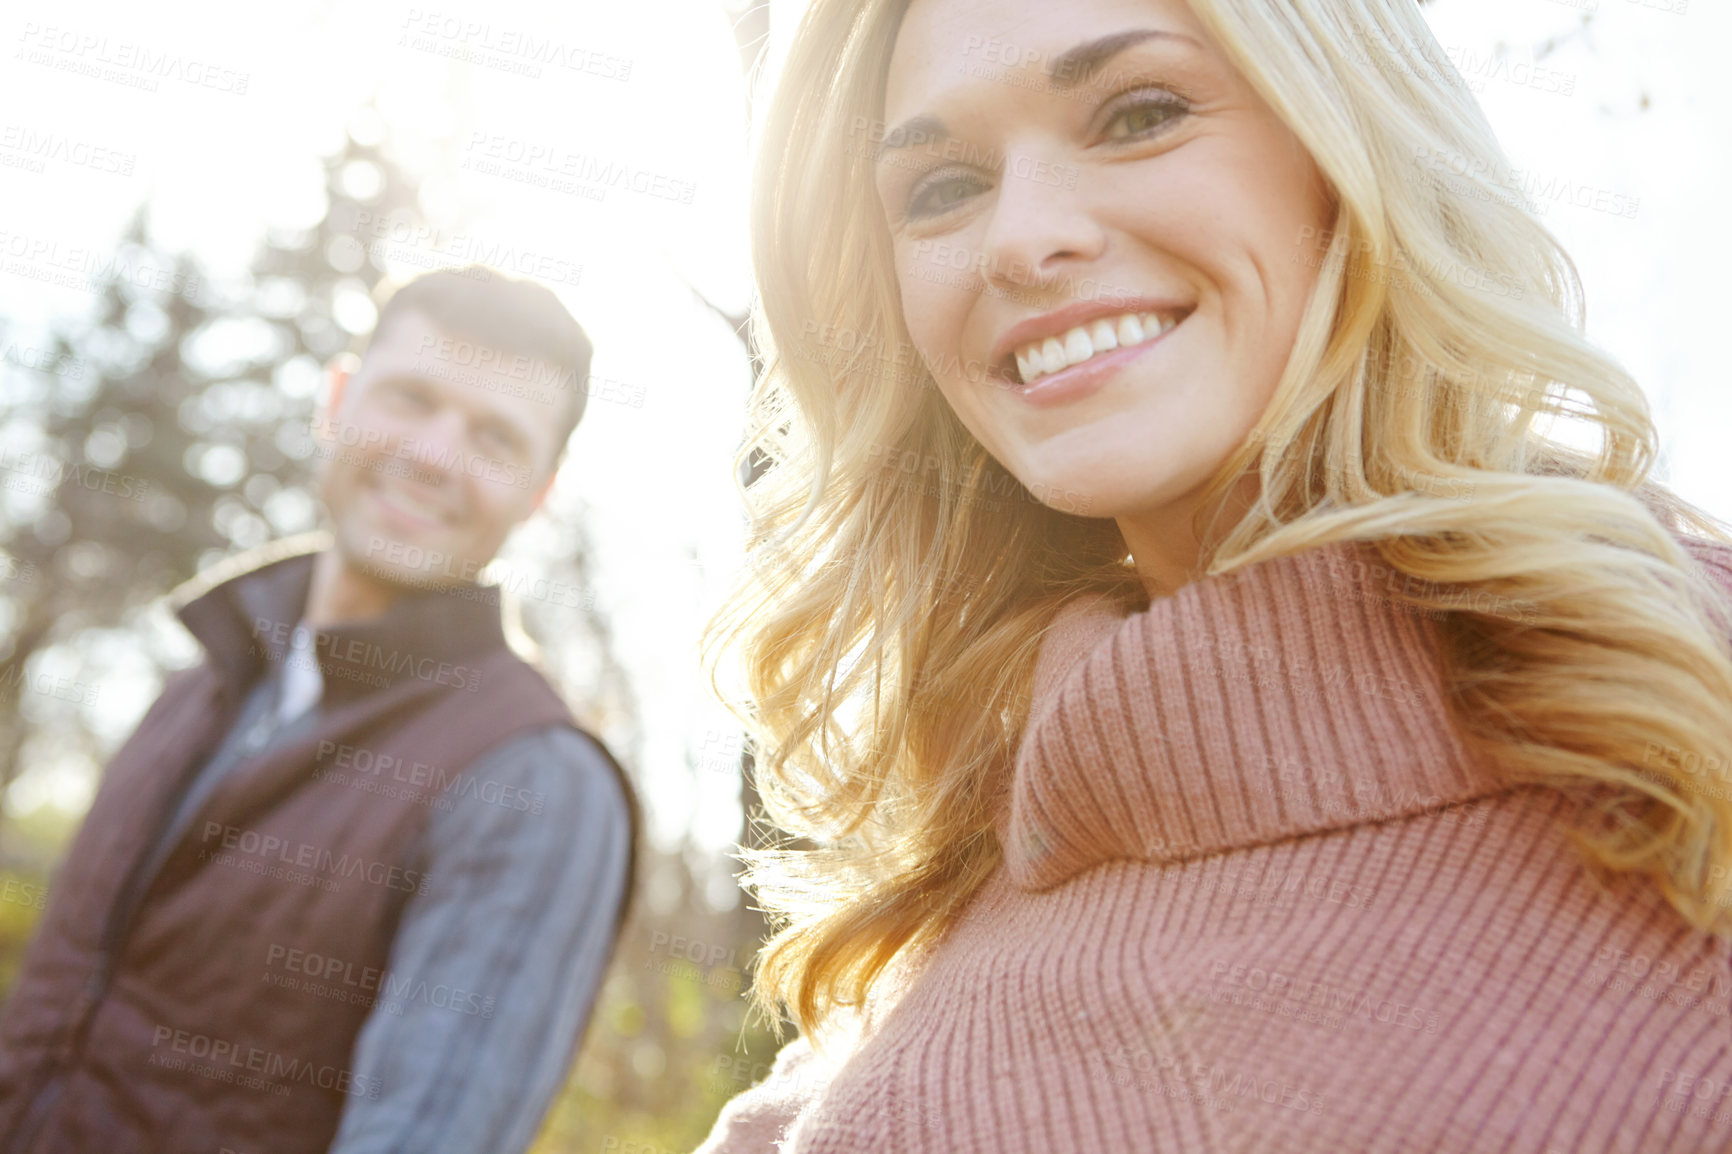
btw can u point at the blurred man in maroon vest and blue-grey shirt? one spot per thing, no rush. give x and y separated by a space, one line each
354 881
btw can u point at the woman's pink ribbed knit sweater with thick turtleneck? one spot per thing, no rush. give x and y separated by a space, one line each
1257 897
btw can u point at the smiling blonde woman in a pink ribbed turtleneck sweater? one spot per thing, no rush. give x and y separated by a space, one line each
1212 704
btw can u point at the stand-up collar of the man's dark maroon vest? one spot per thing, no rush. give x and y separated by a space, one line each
247 609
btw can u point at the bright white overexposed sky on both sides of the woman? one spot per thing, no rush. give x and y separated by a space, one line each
657 89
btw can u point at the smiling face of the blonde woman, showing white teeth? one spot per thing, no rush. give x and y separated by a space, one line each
1095 224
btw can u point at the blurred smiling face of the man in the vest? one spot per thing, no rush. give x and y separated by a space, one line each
434 451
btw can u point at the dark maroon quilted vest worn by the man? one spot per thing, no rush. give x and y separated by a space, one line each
145 1018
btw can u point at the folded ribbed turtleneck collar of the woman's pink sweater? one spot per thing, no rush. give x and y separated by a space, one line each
1286 699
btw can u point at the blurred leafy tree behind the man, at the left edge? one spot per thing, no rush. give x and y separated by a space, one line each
183 436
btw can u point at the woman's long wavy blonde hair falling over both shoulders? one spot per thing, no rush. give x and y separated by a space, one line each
900 580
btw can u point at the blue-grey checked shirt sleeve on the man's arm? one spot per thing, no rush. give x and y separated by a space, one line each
496 968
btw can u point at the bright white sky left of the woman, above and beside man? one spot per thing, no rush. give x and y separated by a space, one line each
657 89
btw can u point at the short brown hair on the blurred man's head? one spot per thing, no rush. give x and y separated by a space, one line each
515 316
